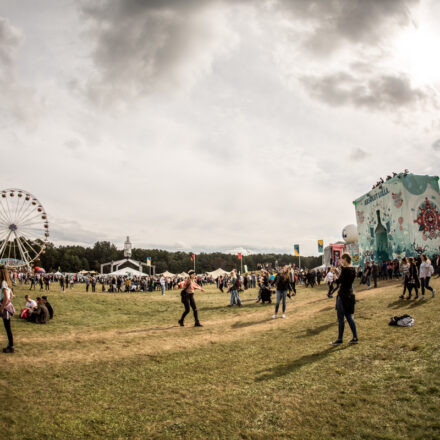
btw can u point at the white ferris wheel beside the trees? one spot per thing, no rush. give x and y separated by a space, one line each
24 228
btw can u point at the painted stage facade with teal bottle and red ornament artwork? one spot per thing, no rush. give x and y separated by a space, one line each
400 217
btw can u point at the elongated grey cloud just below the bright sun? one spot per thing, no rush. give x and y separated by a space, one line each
380 93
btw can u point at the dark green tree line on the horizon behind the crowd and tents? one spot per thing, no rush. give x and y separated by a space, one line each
76 258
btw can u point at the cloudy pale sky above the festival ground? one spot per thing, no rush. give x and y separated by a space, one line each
217 125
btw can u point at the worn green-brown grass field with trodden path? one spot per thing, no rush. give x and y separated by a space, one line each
117 366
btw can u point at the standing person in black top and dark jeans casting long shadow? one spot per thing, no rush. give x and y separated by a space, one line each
345 300
